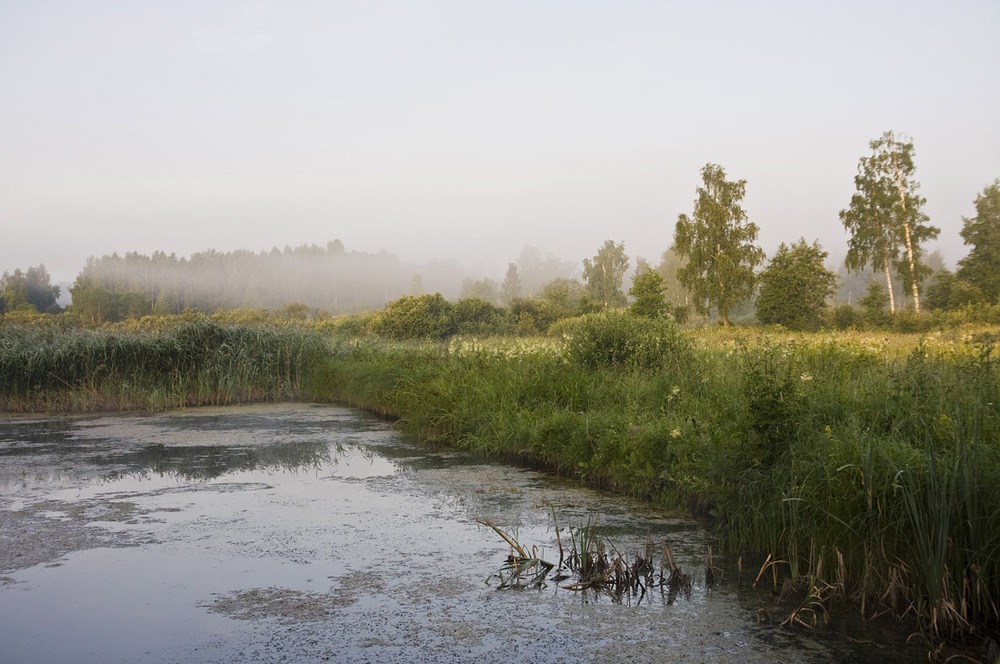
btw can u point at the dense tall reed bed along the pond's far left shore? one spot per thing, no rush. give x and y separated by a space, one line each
168 363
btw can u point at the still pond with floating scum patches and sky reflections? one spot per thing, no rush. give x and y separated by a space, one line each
314 533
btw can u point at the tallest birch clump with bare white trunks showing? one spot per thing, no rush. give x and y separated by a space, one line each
885 218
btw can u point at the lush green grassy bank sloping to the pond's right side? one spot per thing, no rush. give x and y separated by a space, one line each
868 467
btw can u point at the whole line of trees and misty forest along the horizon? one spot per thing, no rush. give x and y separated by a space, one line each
713 268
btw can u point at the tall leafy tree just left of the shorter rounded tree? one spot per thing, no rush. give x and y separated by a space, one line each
718 243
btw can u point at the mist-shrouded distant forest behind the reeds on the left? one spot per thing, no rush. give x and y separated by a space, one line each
328 278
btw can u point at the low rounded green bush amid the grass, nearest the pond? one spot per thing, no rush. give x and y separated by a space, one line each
615 339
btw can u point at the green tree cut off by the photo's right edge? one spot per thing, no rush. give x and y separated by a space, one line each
981 268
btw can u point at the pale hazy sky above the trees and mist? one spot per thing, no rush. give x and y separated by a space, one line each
467 129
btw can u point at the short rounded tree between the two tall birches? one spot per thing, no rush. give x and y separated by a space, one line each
795 286
